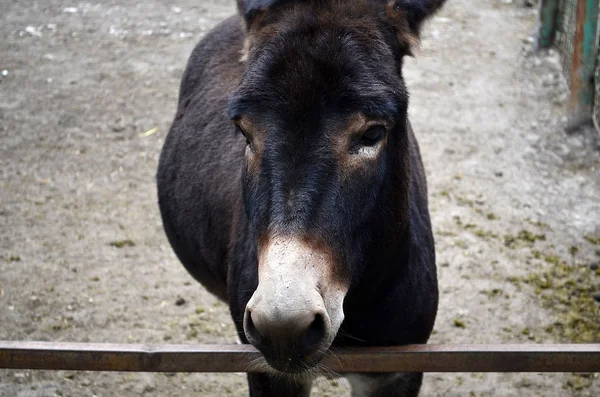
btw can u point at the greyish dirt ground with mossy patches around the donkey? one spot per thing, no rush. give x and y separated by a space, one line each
87 93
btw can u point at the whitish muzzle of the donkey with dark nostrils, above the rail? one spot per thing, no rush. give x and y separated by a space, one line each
297 308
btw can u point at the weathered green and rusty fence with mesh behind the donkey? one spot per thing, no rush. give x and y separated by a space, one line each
572 26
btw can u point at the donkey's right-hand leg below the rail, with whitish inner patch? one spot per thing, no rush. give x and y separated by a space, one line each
402 384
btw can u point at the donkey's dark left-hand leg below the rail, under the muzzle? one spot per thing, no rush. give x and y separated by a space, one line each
262 385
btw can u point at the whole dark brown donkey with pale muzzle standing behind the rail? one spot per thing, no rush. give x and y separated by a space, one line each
291 185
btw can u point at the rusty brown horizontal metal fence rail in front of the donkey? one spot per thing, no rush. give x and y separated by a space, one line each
244 358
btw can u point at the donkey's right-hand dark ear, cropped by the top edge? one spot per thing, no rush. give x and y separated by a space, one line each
407 17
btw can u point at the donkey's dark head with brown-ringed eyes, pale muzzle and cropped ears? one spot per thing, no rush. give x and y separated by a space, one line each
322 107
